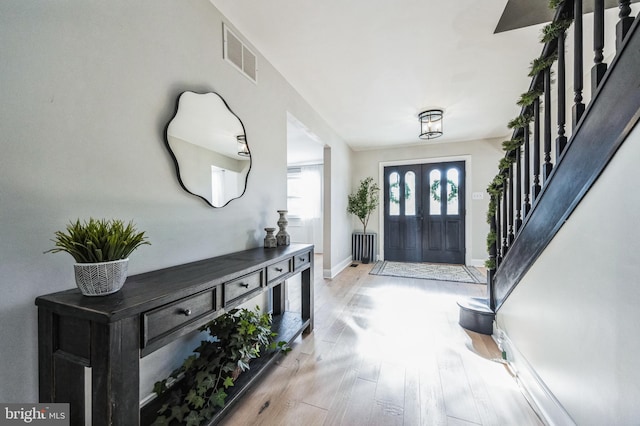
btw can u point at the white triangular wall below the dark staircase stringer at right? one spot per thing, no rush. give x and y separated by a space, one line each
574 317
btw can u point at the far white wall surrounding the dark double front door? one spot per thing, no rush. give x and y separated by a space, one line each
482 165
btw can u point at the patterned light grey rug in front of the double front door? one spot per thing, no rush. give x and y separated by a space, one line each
430 271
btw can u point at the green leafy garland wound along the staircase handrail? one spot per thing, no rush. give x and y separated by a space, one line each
495 189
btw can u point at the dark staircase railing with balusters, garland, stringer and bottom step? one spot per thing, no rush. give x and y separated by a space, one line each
531 196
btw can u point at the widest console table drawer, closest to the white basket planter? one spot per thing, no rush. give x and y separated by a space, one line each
164 319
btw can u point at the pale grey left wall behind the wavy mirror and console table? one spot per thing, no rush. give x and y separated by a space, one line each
87 88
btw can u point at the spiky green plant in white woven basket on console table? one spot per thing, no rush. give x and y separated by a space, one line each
101 249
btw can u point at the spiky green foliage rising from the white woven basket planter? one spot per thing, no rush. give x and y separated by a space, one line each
98 240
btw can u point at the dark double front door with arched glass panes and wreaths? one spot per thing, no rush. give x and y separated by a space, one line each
423 218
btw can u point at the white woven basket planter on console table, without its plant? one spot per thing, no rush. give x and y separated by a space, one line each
99 279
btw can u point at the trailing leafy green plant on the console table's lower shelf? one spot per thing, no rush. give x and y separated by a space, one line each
237 337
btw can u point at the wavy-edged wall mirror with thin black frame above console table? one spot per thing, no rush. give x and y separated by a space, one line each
209 147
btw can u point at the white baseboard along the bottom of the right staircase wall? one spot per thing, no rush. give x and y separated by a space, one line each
539 396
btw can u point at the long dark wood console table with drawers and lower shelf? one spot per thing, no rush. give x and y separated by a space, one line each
89 348
